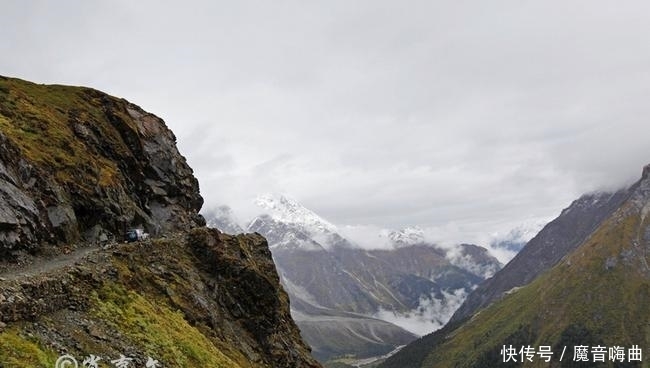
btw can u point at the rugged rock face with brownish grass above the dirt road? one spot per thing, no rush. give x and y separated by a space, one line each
77 164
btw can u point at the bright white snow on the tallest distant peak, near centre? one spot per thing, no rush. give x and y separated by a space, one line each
285 209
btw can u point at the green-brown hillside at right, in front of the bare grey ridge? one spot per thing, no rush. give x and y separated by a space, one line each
596 295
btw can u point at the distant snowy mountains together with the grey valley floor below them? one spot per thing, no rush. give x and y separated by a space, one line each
350 301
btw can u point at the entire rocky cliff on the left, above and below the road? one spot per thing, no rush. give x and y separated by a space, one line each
77 167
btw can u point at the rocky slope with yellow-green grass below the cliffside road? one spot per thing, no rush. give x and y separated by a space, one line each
205 299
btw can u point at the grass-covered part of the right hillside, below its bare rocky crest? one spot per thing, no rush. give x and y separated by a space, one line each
608 306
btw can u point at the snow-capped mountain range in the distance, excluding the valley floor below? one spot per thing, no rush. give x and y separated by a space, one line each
312 255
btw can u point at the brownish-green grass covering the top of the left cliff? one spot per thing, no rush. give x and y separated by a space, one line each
39 120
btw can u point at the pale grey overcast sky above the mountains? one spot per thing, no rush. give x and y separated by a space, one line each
470 115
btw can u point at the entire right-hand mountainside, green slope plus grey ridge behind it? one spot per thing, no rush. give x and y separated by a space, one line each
584 280
